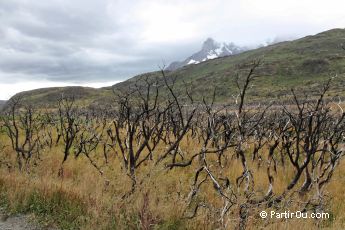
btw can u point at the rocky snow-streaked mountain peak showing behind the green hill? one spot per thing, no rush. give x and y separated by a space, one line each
210 50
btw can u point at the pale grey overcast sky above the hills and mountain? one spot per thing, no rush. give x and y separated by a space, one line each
100 42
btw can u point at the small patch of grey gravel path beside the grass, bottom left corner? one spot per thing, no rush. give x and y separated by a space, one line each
18 222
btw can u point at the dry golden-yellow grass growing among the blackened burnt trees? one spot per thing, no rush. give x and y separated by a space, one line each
97 200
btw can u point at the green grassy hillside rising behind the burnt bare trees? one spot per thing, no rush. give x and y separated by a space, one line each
303 64
